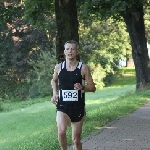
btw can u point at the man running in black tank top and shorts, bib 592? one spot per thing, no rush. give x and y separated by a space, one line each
68 85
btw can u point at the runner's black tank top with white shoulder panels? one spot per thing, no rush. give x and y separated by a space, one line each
68 97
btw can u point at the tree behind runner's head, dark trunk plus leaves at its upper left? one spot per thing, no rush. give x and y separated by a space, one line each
66 19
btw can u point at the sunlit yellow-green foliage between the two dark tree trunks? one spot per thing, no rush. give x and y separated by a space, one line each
104 43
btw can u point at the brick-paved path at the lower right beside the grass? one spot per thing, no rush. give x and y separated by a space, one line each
128 133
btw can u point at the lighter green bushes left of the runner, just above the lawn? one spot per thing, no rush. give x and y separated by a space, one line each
37 81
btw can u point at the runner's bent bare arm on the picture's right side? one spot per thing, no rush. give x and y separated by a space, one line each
90 86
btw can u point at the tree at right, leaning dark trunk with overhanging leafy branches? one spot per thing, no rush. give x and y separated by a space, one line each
133 14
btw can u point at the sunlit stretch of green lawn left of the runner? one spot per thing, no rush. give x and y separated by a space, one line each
29 128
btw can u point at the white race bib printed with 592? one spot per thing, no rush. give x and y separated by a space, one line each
70 95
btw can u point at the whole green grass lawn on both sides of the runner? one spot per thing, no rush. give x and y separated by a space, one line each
33 126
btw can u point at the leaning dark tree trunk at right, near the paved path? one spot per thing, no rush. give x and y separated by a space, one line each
136 29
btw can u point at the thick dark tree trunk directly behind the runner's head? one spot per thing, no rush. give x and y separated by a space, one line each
67 25
